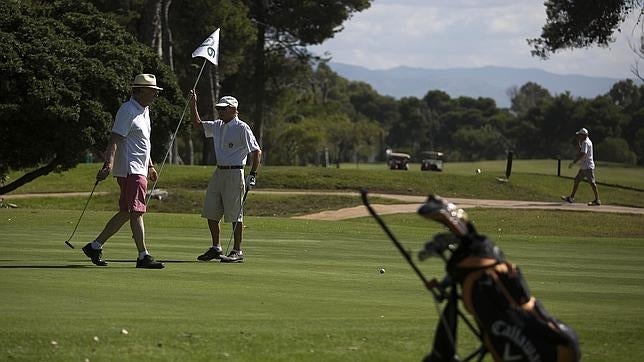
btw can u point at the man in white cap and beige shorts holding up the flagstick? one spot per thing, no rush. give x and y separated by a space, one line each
233 142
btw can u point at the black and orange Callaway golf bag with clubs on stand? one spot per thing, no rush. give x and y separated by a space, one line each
509 322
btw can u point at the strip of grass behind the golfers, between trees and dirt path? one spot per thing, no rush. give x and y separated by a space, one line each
186 184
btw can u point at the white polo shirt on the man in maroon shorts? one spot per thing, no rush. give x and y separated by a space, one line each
132 121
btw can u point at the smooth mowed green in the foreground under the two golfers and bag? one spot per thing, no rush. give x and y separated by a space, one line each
309 291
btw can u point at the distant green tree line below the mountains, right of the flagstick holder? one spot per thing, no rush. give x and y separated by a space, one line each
355 123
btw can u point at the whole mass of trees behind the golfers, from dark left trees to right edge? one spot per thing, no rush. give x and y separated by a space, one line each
66 67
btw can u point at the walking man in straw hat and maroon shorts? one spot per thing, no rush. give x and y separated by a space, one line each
128 158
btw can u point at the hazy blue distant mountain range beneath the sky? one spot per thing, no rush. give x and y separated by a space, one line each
491 82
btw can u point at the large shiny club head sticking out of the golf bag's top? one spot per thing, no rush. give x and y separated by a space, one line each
446 213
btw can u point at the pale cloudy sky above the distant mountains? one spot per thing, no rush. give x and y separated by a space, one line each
441 34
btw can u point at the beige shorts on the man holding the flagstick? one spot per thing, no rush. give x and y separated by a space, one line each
224 196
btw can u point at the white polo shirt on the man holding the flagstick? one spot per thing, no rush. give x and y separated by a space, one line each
233 141
